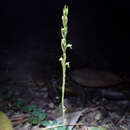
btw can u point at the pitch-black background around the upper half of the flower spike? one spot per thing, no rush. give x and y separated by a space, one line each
98 30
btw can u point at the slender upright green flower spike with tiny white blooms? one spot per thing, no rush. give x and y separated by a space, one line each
64 46
